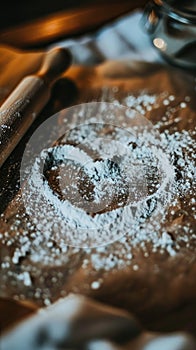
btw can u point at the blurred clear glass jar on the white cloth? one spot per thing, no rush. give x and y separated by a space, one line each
171 25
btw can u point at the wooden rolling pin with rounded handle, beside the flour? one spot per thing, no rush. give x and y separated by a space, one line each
24 104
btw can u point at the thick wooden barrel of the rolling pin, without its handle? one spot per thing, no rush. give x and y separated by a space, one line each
19 111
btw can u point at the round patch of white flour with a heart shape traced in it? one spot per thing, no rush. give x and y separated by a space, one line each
92 185
